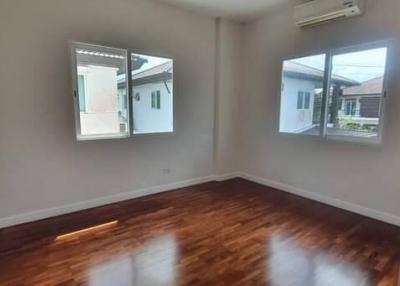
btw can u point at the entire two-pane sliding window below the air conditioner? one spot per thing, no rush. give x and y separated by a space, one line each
341 97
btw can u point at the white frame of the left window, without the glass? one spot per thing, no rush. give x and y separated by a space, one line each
73 45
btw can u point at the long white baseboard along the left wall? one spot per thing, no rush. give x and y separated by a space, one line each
56 211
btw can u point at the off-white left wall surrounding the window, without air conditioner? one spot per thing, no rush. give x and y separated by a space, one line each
41 163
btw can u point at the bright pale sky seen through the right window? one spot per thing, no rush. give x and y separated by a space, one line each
371 62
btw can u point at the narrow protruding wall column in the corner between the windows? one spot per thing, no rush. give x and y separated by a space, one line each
228 89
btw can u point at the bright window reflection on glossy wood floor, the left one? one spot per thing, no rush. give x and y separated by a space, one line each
154 264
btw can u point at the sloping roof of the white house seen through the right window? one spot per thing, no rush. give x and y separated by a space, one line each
301 71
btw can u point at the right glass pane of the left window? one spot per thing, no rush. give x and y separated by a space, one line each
152 78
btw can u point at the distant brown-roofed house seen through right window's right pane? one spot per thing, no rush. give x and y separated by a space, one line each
362 102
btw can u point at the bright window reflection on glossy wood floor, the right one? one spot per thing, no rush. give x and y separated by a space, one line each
290 264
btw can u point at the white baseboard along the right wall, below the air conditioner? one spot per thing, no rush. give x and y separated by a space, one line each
355 208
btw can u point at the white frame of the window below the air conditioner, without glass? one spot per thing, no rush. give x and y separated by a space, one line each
329 54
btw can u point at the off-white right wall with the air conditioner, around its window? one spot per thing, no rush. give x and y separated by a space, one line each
359 174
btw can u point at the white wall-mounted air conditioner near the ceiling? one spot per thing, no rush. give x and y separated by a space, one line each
321 11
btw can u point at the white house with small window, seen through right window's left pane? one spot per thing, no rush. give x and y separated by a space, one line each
301 96
